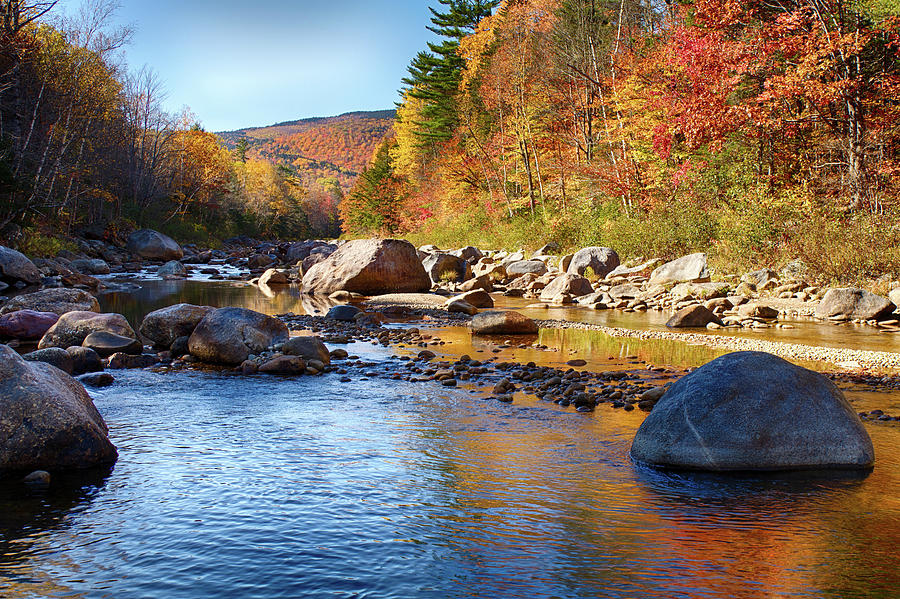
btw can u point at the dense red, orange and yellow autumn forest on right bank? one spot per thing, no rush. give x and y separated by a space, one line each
758 131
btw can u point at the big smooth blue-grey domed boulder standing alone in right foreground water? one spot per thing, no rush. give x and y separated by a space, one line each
753 411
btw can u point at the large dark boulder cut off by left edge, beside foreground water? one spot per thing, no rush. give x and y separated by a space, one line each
47 419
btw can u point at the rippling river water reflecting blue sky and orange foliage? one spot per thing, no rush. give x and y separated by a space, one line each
269 487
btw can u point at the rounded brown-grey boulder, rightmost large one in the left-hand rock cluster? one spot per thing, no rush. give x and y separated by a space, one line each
229 335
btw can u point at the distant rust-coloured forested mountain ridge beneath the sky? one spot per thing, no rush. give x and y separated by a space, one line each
319 147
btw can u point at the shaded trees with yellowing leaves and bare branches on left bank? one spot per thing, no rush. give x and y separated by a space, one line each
86 148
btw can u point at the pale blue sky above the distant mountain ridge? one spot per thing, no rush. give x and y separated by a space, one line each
242 63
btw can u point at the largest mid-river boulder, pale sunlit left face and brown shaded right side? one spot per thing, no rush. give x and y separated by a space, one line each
369 267
